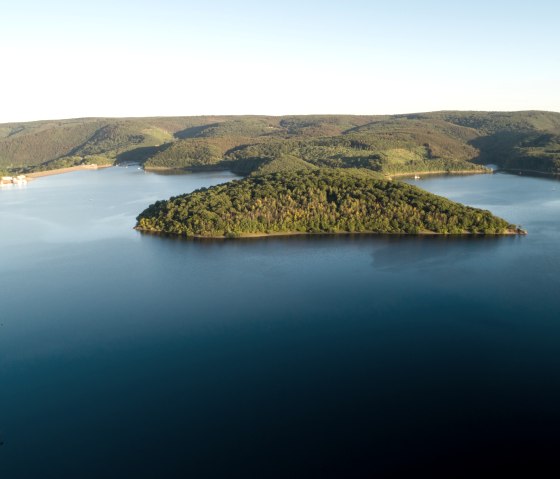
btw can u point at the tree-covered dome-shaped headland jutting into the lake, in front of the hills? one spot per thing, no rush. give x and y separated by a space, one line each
312 202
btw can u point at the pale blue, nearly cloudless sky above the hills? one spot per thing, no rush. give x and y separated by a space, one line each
64 59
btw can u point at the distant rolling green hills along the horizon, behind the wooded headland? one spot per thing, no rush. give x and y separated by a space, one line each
447 141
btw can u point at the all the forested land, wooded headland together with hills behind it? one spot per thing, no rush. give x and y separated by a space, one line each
304 174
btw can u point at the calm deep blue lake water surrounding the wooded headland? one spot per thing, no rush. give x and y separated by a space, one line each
124 355
